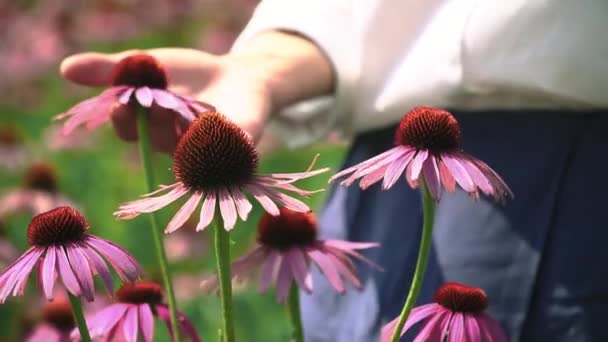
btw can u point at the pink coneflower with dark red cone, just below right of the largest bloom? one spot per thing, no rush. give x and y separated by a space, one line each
287 245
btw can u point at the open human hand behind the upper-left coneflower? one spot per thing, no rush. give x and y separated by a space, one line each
234 85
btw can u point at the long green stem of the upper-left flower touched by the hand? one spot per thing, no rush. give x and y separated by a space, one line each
146 160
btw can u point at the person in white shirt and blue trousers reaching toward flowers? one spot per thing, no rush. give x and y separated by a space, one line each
526 81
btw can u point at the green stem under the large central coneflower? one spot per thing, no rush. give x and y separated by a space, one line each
222 255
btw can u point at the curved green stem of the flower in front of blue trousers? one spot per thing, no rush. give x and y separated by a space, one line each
428 216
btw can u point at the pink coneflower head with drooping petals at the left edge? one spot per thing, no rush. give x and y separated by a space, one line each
62 247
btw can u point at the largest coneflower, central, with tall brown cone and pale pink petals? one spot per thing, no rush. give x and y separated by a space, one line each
216 162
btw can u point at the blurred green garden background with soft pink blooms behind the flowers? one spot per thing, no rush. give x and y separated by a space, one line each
100 177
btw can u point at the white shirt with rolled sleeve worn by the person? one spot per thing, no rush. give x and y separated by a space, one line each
392 55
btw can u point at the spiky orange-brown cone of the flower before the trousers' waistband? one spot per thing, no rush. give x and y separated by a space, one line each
429 128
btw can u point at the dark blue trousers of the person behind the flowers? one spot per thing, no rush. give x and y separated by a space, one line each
542 258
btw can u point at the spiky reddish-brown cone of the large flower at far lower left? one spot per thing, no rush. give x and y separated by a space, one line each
57 227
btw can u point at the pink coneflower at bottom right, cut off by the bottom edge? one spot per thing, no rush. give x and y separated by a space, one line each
456 316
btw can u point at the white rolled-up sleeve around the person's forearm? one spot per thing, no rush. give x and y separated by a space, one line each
330 25
